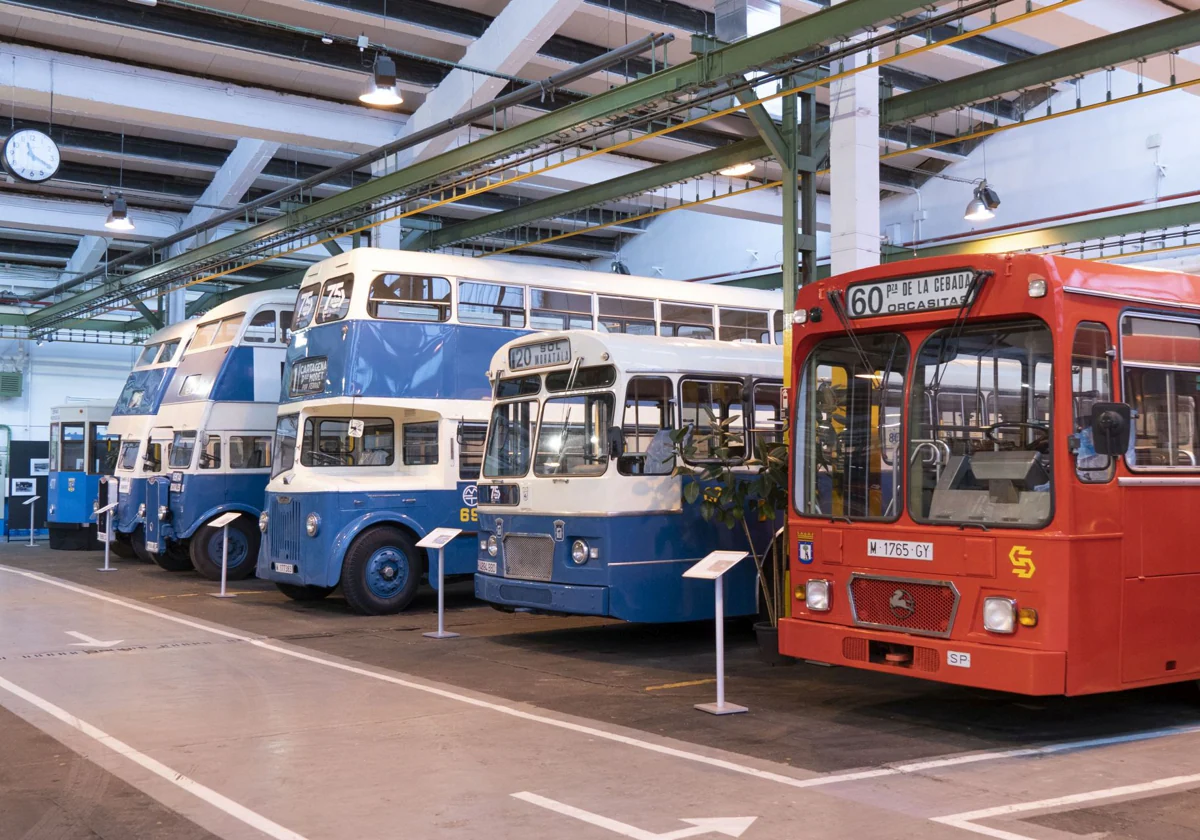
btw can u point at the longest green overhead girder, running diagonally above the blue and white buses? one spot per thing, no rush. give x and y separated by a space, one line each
767 50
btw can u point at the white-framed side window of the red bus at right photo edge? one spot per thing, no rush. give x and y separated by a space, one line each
1161 359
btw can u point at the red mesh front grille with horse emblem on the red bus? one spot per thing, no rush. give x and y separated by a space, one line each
921 608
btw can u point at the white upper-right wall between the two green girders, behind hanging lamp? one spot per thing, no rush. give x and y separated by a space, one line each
1071 165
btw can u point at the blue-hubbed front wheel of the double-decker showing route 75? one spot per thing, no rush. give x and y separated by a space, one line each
382 572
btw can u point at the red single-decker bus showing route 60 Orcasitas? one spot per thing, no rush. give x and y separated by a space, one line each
995 475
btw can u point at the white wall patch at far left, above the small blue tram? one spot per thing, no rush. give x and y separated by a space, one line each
55 373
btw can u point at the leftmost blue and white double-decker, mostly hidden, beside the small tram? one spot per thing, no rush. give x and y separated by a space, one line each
134 417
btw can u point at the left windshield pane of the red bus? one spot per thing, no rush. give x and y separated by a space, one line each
851 401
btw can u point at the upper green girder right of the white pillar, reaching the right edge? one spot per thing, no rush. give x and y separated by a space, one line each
1154 39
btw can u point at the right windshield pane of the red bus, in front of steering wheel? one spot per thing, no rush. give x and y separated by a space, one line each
980 428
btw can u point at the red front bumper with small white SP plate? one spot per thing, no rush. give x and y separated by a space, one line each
985 667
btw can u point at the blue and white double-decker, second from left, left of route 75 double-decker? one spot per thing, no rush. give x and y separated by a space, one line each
217 424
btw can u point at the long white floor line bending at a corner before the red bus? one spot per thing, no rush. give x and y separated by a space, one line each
662 749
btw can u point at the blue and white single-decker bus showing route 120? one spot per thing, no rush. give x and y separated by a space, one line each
579 509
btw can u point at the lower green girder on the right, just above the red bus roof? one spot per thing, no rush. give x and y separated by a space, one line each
1161 219
